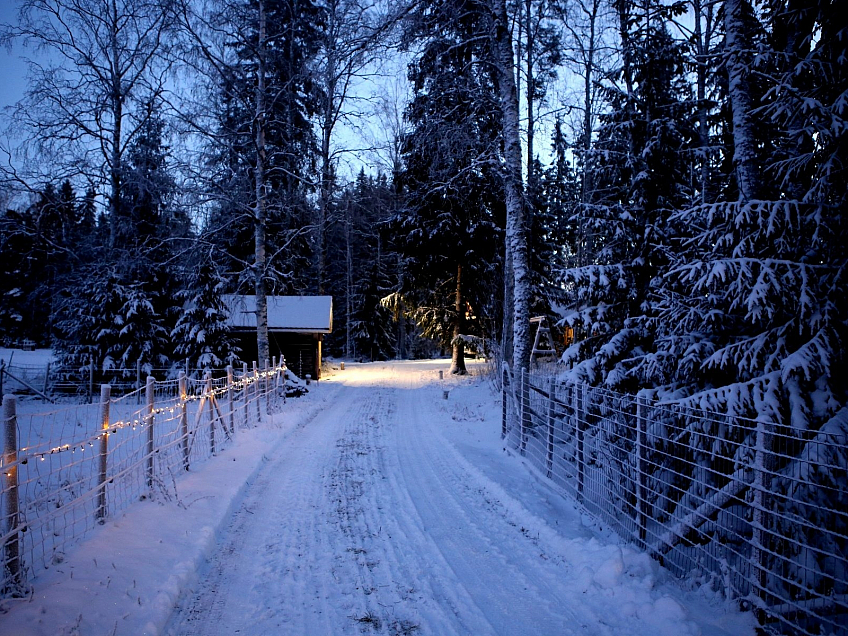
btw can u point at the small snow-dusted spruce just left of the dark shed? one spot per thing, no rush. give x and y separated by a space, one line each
201 334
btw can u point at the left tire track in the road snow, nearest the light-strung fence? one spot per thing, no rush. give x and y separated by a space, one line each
265 578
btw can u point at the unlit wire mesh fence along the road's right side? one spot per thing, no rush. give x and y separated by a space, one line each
755 509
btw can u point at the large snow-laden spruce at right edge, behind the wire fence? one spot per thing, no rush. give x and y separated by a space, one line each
759 302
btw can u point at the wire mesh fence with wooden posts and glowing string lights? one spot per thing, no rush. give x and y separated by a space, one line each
68 470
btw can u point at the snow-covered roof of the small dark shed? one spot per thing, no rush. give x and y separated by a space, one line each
299 314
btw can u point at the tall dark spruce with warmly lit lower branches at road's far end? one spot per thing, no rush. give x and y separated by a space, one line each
451 184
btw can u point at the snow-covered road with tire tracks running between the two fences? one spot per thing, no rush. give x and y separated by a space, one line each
383 515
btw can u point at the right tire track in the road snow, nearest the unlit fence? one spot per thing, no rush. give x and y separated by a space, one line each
512 589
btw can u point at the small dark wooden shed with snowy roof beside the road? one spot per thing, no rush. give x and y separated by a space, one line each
296 328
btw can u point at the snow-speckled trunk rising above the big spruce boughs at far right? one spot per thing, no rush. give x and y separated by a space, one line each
738 49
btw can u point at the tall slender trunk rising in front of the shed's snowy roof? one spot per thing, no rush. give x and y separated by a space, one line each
259 265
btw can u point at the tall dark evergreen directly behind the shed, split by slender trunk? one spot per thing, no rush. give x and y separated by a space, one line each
290 100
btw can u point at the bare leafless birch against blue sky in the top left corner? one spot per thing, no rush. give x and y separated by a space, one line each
101 62
